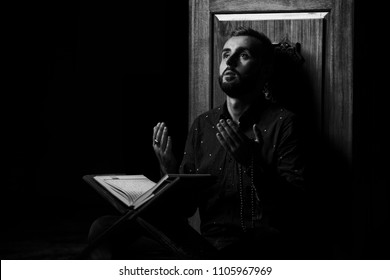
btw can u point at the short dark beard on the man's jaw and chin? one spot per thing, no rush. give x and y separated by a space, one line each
239 86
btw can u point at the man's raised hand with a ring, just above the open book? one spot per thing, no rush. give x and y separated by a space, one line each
162 146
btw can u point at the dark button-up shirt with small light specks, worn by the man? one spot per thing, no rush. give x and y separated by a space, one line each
232 206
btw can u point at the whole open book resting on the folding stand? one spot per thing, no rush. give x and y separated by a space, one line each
135 190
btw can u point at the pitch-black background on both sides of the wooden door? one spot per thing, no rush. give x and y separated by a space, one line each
86 81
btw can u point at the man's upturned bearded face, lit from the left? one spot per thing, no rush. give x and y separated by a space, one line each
239 71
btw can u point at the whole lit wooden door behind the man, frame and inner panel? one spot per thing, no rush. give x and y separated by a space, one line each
326 41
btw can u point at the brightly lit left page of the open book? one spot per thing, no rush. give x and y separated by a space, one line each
128 188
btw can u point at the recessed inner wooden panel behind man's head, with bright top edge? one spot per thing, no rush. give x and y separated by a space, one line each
307 29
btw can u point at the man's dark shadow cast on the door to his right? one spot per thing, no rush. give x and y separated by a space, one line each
327 203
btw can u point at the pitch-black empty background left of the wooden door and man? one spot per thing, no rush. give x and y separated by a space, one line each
88 81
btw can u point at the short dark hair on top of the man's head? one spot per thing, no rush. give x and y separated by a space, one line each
266 49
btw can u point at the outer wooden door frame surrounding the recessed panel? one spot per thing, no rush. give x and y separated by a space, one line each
337 97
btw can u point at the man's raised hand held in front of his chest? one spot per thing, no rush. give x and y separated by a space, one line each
237 143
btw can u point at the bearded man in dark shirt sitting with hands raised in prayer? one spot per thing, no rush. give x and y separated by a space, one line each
250 144
